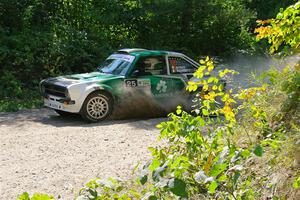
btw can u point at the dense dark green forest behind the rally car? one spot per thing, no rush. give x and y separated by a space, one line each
39 39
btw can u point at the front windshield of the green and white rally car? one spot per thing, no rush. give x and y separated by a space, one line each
116 64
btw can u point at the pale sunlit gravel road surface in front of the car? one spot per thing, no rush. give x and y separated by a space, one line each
43 152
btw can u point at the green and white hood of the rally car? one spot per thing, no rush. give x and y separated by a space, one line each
79 78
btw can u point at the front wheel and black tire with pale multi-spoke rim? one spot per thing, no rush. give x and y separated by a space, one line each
97 107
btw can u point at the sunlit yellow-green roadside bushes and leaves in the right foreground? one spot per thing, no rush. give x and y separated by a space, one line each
248 150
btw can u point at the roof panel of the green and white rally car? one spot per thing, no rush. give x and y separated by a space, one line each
146 52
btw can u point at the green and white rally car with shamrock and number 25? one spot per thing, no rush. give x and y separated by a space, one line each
126 78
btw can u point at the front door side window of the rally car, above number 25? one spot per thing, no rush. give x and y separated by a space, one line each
152 65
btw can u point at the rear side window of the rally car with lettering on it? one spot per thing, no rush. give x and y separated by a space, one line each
179 65
